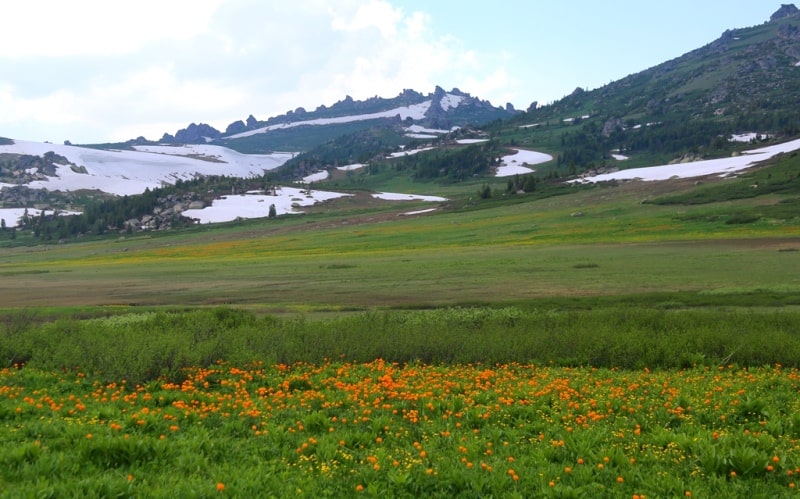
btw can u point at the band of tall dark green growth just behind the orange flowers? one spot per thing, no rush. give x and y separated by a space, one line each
140 347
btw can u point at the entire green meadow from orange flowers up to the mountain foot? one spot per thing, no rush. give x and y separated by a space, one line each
626 340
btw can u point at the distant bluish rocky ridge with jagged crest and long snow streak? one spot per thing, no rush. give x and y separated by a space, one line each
300 130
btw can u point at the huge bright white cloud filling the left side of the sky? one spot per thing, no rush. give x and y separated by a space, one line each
92 71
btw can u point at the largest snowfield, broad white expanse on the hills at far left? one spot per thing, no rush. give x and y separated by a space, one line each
131 172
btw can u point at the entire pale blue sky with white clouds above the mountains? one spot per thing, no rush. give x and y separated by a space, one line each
93 71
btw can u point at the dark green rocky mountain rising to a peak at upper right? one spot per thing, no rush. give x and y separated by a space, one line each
747 80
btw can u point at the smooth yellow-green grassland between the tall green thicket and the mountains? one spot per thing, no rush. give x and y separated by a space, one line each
490 252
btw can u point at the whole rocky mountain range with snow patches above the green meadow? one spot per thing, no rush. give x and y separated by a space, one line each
731 102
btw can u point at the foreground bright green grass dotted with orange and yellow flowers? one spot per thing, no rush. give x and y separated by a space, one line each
343 429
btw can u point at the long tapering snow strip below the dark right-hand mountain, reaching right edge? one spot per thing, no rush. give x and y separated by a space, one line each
721 166
